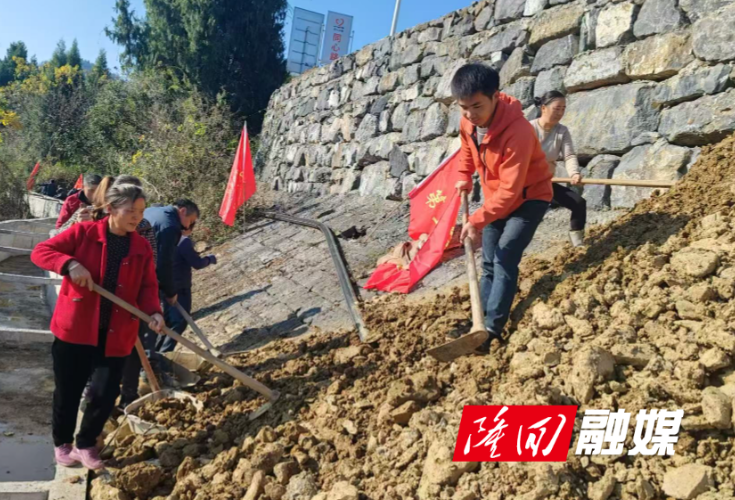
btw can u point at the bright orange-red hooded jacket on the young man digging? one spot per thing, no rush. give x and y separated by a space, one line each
510 161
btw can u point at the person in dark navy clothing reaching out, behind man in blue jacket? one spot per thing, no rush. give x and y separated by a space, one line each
186 259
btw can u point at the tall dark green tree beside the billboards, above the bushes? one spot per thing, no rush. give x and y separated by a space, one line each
231 49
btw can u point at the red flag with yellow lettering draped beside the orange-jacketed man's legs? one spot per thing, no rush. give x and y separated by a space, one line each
434 207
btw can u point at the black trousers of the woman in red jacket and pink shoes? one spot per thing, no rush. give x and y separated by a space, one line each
73 366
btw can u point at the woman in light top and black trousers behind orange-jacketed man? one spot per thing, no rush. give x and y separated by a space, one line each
556 141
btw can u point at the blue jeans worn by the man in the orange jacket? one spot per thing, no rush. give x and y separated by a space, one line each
503 243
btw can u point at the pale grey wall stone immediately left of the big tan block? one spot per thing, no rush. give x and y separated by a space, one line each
598 68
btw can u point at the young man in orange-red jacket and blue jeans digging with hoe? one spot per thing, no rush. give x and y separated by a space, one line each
501 146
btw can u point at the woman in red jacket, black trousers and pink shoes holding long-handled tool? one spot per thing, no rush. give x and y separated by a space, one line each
94 336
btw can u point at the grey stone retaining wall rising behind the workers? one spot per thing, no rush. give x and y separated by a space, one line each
649 82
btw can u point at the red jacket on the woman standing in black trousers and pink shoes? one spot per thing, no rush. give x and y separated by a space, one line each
77 314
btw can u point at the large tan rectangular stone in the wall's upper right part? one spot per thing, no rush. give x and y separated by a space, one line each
658 57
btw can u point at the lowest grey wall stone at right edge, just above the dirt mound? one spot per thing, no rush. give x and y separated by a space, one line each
706 120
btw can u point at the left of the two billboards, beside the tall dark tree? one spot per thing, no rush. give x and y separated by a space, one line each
303 47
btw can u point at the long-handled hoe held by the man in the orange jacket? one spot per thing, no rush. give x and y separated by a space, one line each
466 344
